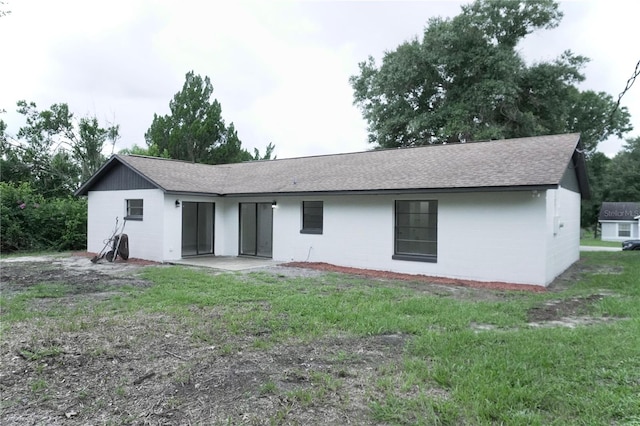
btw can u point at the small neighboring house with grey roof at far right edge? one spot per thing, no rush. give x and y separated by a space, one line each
619 221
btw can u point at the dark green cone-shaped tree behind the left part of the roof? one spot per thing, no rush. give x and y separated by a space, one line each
195 130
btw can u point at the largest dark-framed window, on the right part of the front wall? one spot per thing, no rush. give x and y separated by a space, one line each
416 230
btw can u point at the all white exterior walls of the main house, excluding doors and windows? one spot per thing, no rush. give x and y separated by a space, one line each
526 237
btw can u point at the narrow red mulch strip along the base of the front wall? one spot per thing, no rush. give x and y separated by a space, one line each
370 273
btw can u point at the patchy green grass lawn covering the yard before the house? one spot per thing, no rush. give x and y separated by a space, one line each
461 356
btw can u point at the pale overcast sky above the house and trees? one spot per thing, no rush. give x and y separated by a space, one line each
280 69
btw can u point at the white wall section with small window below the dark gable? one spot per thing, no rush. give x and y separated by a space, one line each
145 236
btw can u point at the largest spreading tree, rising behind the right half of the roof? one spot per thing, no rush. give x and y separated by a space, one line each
465 80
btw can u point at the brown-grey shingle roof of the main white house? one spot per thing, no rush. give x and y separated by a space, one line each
525 162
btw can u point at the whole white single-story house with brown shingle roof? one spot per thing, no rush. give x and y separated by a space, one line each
504 210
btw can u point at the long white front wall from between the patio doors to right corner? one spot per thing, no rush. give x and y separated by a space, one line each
492 236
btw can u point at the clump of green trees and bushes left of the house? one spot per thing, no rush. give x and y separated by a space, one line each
40 167
